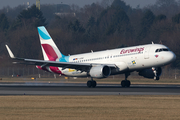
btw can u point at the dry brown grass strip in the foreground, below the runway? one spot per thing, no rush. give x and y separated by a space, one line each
89 107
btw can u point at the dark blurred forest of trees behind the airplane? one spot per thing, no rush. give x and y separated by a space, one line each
99 26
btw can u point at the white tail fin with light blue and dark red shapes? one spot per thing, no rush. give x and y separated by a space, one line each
49 48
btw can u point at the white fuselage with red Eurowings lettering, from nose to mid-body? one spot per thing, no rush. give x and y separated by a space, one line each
126 59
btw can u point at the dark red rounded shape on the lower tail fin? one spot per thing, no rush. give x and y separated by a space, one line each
51 54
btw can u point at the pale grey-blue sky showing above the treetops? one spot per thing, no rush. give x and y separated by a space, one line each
14 3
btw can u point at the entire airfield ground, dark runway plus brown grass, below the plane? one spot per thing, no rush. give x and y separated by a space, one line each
44 99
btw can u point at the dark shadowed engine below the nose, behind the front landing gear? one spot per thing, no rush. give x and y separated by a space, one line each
151 73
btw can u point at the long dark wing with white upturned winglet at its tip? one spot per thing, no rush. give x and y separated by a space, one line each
64 65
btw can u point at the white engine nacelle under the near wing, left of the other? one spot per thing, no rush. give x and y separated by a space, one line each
100 71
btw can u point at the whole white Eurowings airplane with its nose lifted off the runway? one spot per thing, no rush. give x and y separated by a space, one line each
147 60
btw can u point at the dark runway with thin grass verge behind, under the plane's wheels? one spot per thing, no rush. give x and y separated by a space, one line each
49 86
